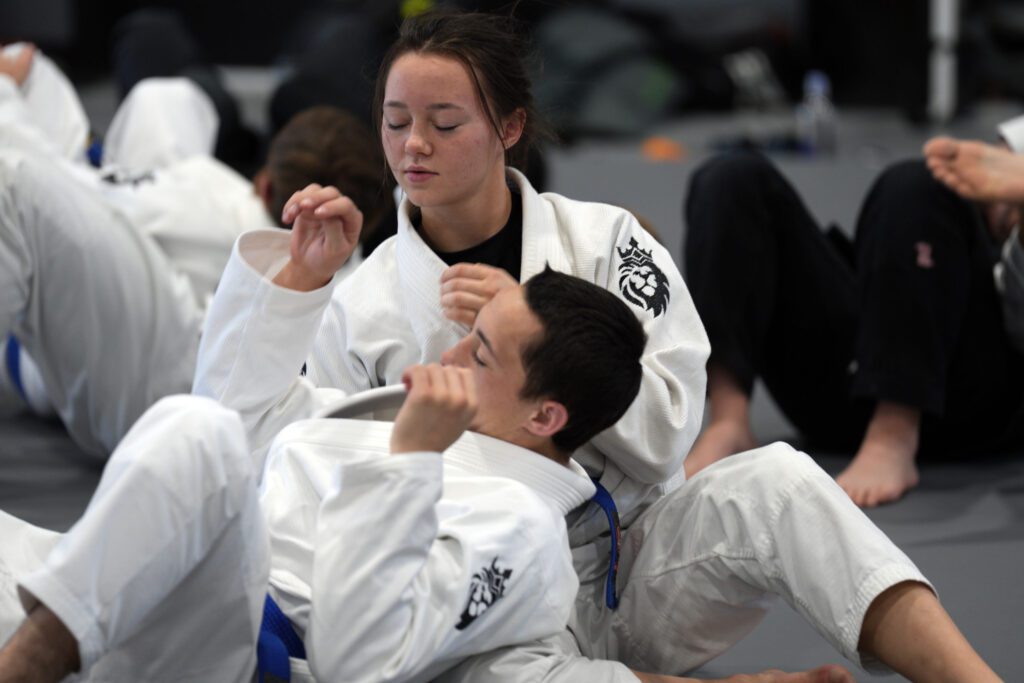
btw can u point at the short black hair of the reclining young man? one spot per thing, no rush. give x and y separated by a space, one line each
587 358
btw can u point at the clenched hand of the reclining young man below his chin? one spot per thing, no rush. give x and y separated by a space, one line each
440 407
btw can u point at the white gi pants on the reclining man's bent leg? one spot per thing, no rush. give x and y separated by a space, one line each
165 576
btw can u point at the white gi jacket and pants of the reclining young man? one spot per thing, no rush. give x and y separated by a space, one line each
393 568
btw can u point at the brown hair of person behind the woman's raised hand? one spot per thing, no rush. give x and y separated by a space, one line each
330 147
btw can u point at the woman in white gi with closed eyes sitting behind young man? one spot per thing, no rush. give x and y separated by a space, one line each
455 109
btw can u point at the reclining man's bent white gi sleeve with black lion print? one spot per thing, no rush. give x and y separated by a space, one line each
398 595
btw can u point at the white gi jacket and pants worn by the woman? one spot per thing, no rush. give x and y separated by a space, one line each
697 559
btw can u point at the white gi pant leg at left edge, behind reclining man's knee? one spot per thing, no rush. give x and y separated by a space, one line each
110 322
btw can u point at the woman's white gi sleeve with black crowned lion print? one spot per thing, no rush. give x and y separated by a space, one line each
652 441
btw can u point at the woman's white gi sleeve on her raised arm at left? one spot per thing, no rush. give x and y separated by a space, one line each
257 338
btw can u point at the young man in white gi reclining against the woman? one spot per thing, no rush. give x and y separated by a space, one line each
390 562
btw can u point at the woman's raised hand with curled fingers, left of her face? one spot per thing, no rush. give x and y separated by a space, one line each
325 234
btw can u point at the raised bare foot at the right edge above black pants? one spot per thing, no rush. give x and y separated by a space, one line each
976 170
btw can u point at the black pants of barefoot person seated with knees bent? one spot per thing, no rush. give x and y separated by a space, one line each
908 314
